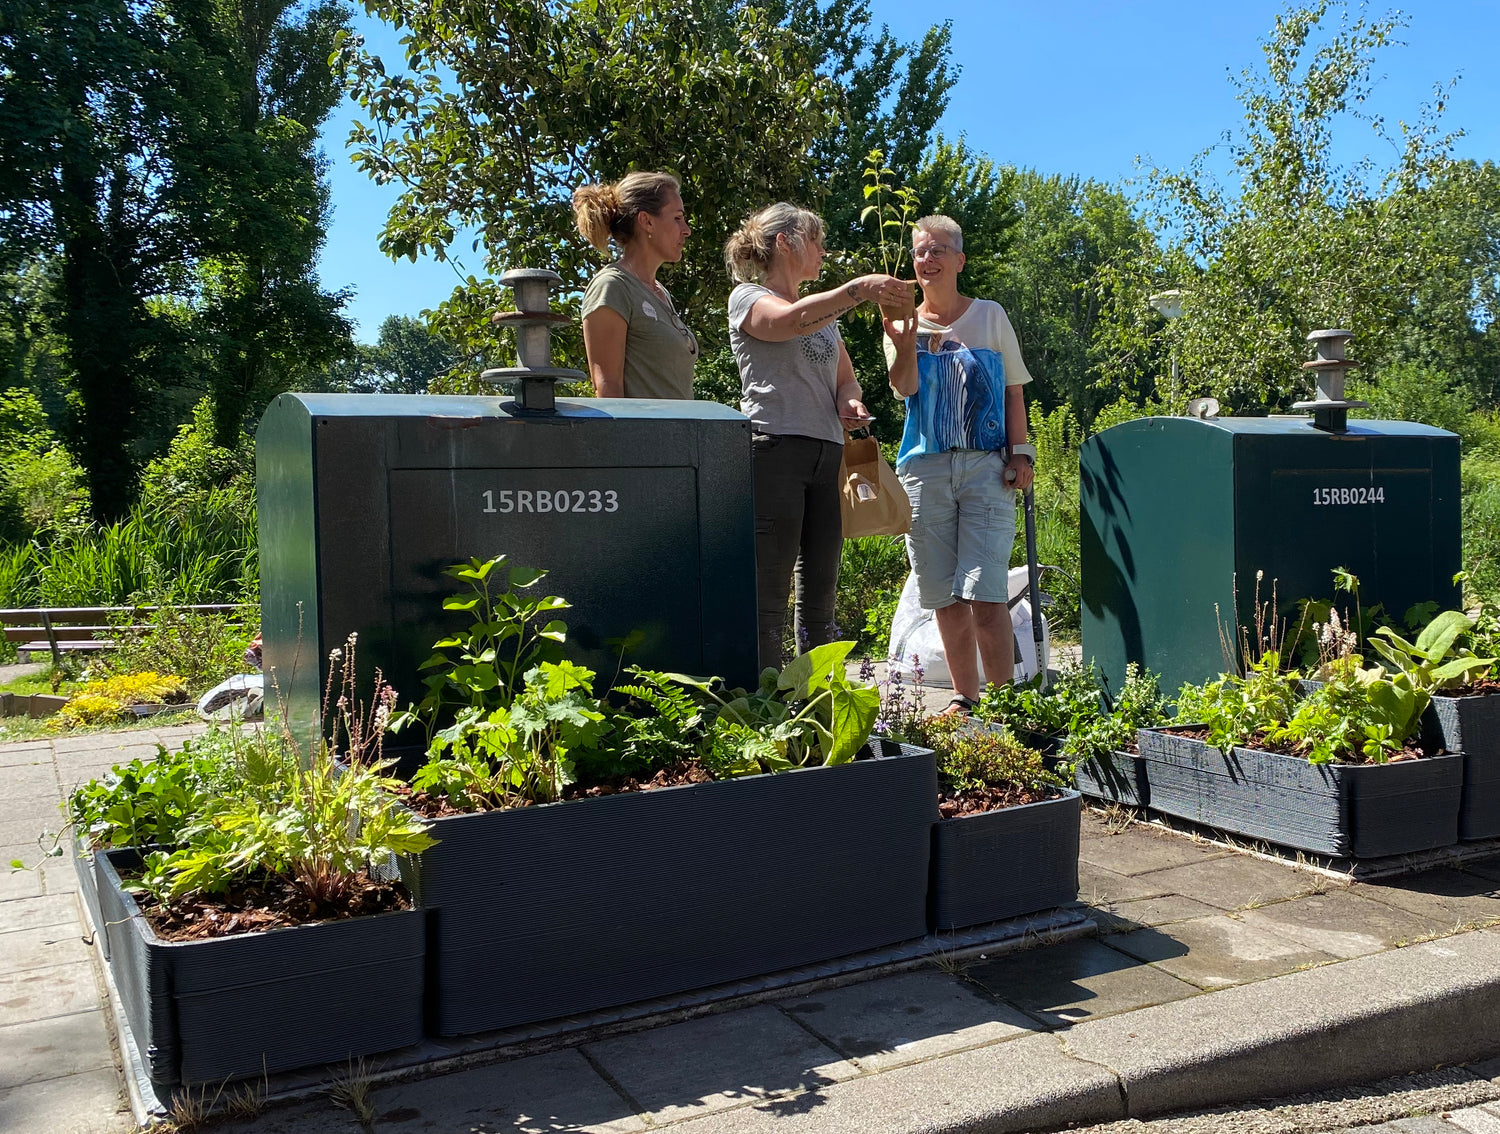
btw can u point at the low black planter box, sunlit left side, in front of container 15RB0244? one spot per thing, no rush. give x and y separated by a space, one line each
1351 811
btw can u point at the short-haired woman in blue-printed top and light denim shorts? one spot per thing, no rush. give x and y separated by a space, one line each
964 458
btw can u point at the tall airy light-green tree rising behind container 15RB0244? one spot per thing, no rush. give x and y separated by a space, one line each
1306 242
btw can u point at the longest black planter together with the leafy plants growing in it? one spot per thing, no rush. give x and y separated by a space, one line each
677 838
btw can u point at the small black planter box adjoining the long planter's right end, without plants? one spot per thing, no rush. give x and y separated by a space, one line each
1003 865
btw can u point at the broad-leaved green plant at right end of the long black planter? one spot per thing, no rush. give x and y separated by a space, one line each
809 713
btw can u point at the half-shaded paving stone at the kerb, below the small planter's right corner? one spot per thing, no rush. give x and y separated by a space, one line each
1079 980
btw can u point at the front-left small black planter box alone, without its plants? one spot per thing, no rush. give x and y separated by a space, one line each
209 1012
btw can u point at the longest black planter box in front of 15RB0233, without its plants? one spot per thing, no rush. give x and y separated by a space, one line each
539 913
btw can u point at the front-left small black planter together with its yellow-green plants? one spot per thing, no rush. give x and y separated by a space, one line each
266 938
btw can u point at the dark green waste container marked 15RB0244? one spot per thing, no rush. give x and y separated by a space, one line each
1180 517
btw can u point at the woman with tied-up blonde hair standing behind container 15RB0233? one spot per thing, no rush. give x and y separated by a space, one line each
637 343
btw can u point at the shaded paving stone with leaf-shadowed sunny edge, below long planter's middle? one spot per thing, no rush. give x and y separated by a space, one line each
718 1061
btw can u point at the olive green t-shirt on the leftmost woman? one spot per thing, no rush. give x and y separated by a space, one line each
659 347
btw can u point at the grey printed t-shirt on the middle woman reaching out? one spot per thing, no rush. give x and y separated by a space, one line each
787 388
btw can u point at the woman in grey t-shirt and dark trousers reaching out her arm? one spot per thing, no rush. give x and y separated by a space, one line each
800 394
